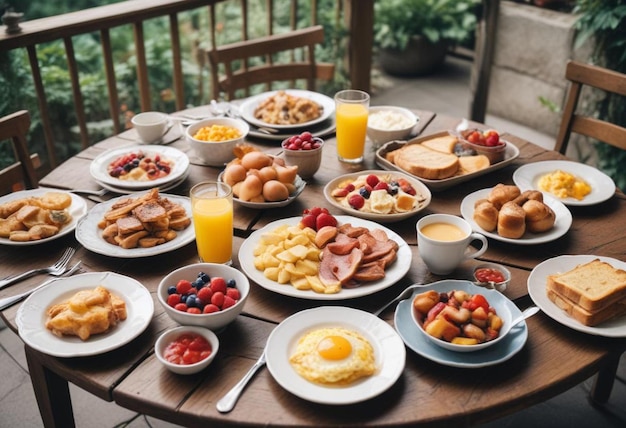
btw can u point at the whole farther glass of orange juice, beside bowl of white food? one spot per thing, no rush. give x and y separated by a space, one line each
351 109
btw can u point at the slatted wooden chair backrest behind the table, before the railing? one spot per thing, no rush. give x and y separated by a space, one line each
238 74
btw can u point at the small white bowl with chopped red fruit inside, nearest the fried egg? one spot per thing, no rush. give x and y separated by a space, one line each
186 349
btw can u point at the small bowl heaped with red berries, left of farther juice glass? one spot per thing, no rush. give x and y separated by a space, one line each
304 151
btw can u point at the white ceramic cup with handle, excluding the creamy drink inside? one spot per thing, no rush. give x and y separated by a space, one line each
443 256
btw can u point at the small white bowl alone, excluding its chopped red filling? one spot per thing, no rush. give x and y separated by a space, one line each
172 334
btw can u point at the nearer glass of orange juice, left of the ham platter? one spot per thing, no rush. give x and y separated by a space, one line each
212 211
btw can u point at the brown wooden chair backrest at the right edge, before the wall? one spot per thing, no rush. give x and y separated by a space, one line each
581 75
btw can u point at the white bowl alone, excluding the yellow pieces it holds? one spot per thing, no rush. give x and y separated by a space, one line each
216 153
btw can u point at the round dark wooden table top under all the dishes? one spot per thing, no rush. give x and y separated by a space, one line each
554 358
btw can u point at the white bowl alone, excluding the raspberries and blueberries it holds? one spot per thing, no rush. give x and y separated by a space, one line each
213 321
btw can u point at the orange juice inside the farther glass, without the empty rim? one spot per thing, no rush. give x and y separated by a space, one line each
351 128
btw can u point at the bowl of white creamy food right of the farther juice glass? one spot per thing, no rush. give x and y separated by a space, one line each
389 127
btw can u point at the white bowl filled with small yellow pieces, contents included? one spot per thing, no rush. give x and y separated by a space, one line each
214 139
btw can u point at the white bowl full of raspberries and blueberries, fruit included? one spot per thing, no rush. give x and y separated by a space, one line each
204 294
